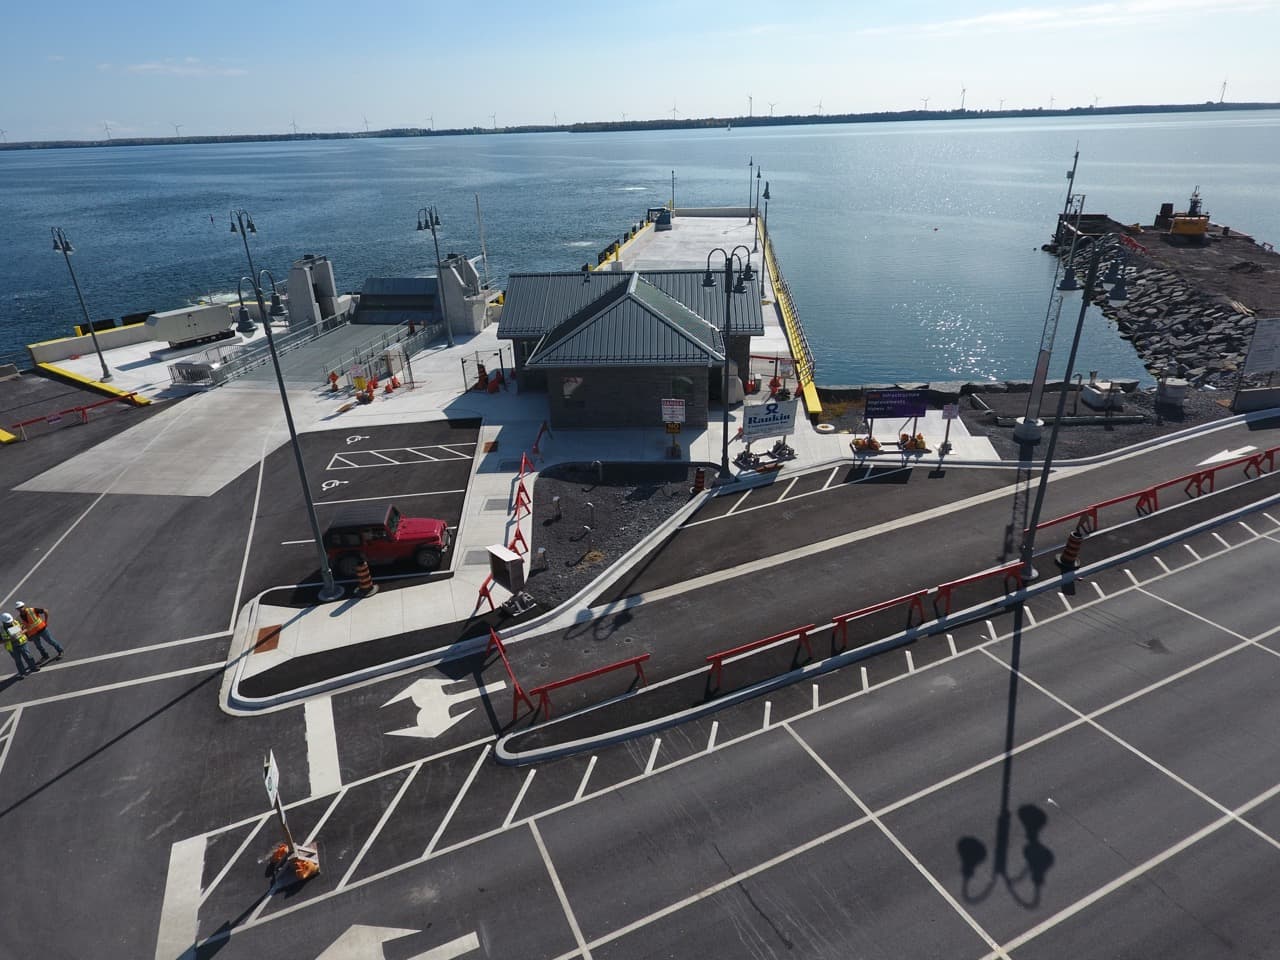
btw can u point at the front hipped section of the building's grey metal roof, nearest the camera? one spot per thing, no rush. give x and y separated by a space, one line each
634 324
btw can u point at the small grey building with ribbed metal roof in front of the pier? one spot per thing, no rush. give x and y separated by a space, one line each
610 346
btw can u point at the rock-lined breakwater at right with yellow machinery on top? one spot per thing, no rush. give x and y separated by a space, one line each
1195 289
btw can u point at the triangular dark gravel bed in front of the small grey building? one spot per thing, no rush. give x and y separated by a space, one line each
632 502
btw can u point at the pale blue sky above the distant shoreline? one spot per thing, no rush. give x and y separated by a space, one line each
143 68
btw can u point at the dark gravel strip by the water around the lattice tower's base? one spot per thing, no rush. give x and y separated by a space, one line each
1084 441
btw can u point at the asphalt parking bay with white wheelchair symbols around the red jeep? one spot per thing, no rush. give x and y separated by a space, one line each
420 468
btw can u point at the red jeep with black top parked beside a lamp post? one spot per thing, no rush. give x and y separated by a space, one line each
382 534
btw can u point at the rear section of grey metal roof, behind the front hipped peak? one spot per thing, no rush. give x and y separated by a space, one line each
538 303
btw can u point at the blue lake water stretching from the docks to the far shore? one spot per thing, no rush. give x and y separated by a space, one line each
912 249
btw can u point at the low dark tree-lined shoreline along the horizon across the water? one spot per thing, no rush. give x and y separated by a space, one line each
661 125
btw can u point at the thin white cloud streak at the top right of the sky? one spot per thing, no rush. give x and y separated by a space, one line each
1119 13
